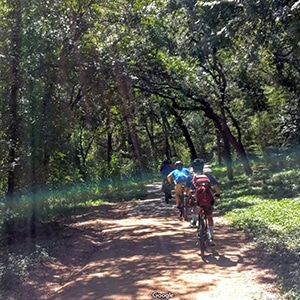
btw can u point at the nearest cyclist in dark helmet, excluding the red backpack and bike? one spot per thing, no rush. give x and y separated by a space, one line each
198 166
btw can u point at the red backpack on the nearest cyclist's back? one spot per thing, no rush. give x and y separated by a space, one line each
203 192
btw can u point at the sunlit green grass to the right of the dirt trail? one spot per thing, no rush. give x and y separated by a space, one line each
266 207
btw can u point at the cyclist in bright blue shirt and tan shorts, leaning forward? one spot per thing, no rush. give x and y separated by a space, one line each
179 176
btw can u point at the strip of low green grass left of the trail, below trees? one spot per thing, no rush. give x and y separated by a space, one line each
57 203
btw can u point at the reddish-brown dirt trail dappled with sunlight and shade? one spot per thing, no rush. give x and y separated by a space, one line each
146 249
